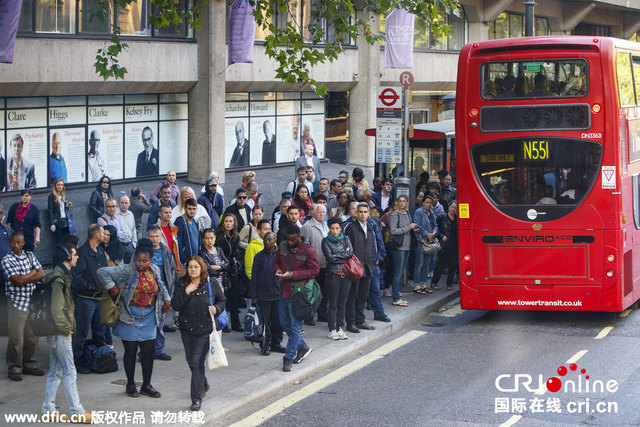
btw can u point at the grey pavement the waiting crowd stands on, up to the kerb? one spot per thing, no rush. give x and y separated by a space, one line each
250 378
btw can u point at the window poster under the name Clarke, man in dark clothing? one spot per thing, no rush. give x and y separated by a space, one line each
104 155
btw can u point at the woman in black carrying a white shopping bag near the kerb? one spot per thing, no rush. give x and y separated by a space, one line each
198 301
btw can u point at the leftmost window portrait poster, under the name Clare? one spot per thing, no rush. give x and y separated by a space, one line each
27 162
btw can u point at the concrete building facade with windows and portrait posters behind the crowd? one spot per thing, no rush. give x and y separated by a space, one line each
181 107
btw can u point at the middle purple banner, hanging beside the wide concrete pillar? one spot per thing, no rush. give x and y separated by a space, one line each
242 32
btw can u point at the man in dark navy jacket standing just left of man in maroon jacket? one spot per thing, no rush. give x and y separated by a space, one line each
265 290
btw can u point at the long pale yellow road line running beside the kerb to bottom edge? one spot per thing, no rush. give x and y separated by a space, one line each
278 406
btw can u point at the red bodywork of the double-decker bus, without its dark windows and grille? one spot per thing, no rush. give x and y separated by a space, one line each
538 266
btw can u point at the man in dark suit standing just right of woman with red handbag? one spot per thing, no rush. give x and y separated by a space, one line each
363 239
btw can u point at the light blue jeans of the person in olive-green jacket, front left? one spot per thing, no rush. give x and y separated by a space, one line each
61 367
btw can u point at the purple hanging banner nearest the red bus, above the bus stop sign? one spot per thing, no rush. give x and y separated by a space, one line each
398 48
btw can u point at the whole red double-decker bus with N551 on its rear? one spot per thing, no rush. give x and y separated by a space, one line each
548 163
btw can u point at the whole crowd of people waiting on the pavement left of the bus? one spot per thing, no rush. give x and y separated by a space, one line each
198 257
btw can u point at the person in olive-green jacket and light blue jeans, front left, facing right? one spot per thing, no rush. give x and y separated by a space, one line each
62 365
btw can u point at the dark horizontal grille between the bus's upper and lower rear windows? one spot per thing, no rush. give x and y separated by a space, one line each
535 117
